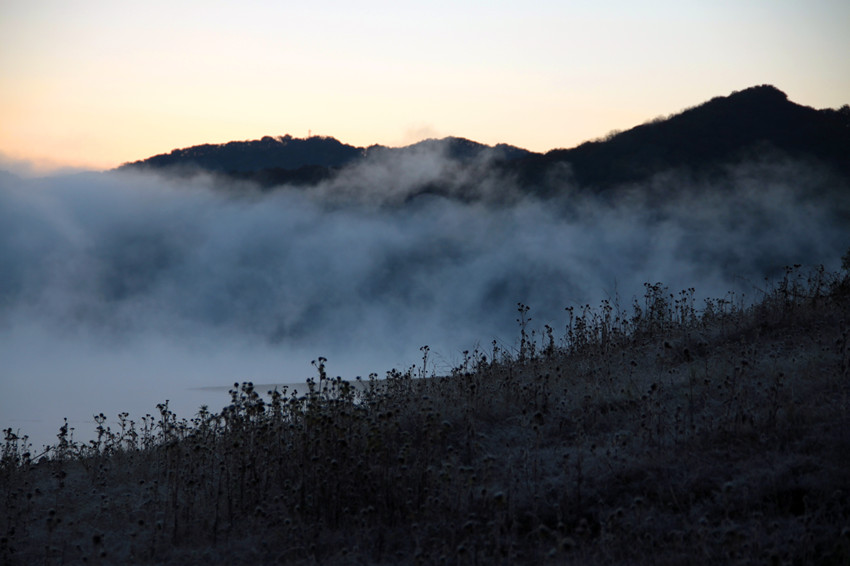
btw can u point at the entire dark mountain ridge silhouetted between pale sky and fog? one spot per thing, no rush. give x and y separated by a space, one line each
756 122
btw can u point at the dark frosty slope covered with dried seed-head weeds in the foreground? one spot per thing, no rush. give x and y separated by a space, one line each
657 434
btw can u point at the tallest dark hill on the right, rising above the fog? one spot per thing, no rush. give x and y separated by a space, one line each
746 123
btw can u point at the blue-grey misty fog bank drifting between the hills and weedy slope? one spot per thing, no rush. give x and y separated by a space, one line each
119 291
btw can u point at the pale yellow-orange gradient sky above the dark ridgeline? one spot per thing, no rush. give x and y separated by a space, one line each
94 83
